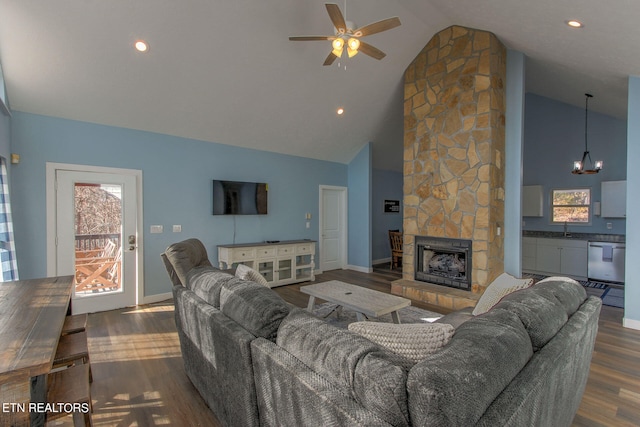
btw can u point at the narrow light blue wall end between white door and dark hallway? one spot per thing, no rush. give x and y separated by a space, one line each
359 209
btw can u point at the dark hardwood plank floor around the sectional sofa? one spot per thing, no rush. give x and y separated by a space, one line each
139 378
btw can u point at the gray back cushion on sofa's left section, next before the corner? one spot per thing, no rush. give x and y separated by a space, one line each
254 307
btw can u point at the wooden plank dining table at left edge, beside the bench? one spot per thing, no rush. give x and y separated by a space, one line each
32 314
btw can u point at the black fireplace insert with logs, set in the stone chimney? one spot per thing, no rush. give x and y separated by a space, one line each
443 261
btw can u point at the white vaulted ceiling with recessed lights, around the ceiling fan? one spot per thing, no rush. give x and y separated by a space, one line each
225 71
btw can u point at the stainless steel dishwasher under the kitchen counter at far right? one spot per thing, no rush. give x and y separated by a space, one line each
606 261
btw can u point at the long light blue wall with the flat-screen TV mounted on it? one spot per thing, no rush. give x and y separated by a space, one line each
177 185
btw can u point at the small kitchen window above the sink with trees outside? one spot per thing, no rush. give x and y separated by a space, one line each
571 206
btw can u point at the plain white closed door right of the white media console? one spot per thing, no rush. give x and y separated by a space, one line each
333 240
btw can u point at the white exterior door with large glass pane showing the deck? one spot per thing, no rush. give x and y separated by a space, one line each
97 238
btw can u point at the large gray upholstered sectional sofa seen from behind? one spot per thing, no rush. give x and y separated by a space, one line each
258 361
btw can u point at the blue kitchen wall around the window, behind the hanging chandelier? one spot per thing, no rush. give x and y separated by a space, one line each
554 138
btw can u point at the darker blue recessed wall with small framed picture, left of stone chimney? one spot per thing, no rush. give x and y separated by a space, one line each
387 185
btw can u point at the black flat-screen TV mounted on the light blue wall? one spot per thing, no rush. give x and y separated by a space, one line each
239 198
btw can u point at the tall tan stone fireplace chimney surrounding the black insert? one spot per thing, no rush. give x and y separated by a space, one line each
454 116
